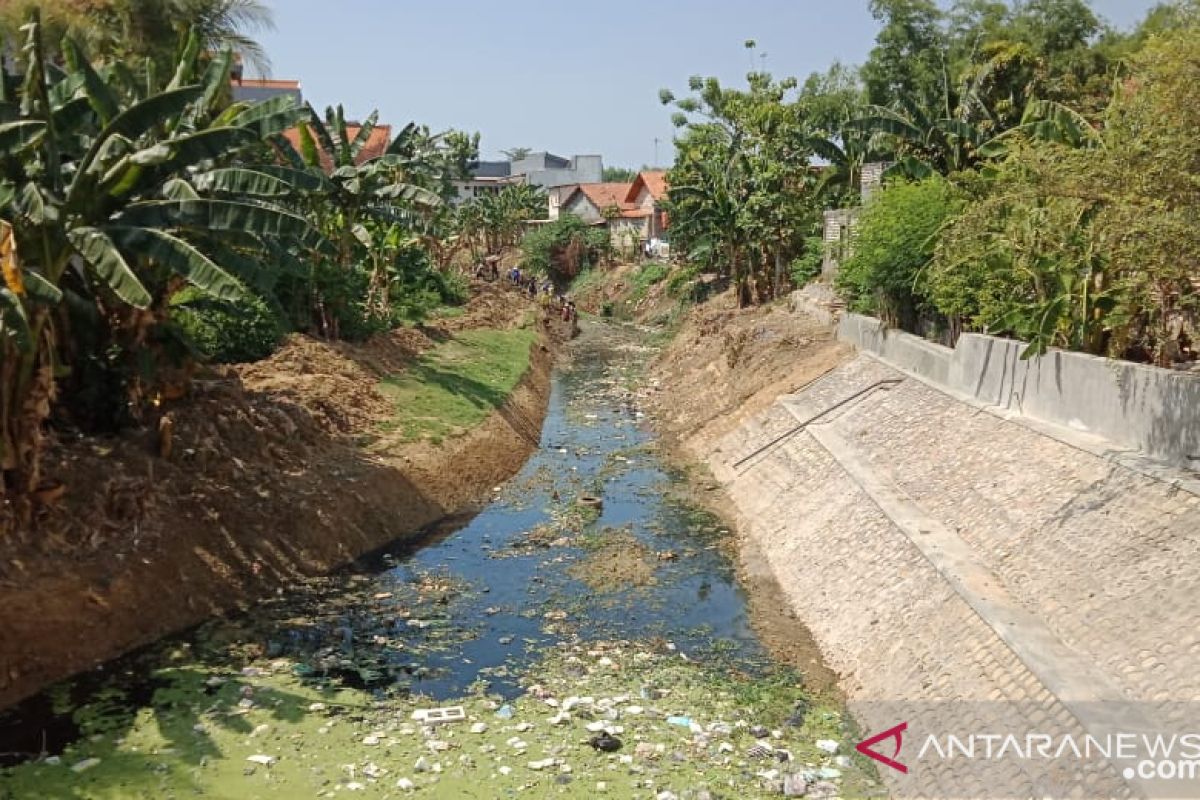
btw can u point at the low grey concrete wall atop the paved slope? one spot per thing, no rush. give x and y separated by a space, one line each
1149 410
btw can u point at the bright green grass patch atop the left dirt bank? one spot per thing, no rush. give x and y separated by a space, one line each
454 387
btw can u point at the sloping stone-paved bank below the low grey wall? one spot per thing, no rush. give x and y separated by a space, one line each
971 578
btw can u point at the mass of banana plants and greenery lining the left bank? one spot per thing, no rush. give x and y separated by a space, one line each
151 224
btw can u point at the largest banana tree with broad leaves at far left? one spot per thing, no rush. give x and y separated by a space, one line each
112 204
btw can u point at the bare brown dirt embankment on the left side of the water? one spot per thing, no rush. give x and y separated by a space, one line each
266 479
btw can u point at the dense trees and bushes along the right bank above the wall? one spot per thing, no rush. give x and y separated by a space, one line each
1041 177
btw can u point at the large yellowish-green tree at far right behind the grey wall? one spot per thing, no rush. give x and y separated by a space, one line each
1093 248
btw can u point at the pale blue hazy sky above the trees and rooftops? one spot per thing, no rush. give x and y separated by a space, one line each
566 77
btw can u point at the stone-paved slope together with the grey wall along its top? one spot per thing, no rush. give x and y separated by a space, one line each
957 533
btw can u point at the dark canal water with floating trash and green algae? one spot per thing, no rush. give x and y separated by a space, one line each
484 612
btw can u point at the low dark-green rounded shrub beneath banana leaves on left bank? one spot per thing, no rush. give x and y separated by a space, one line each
227 332
